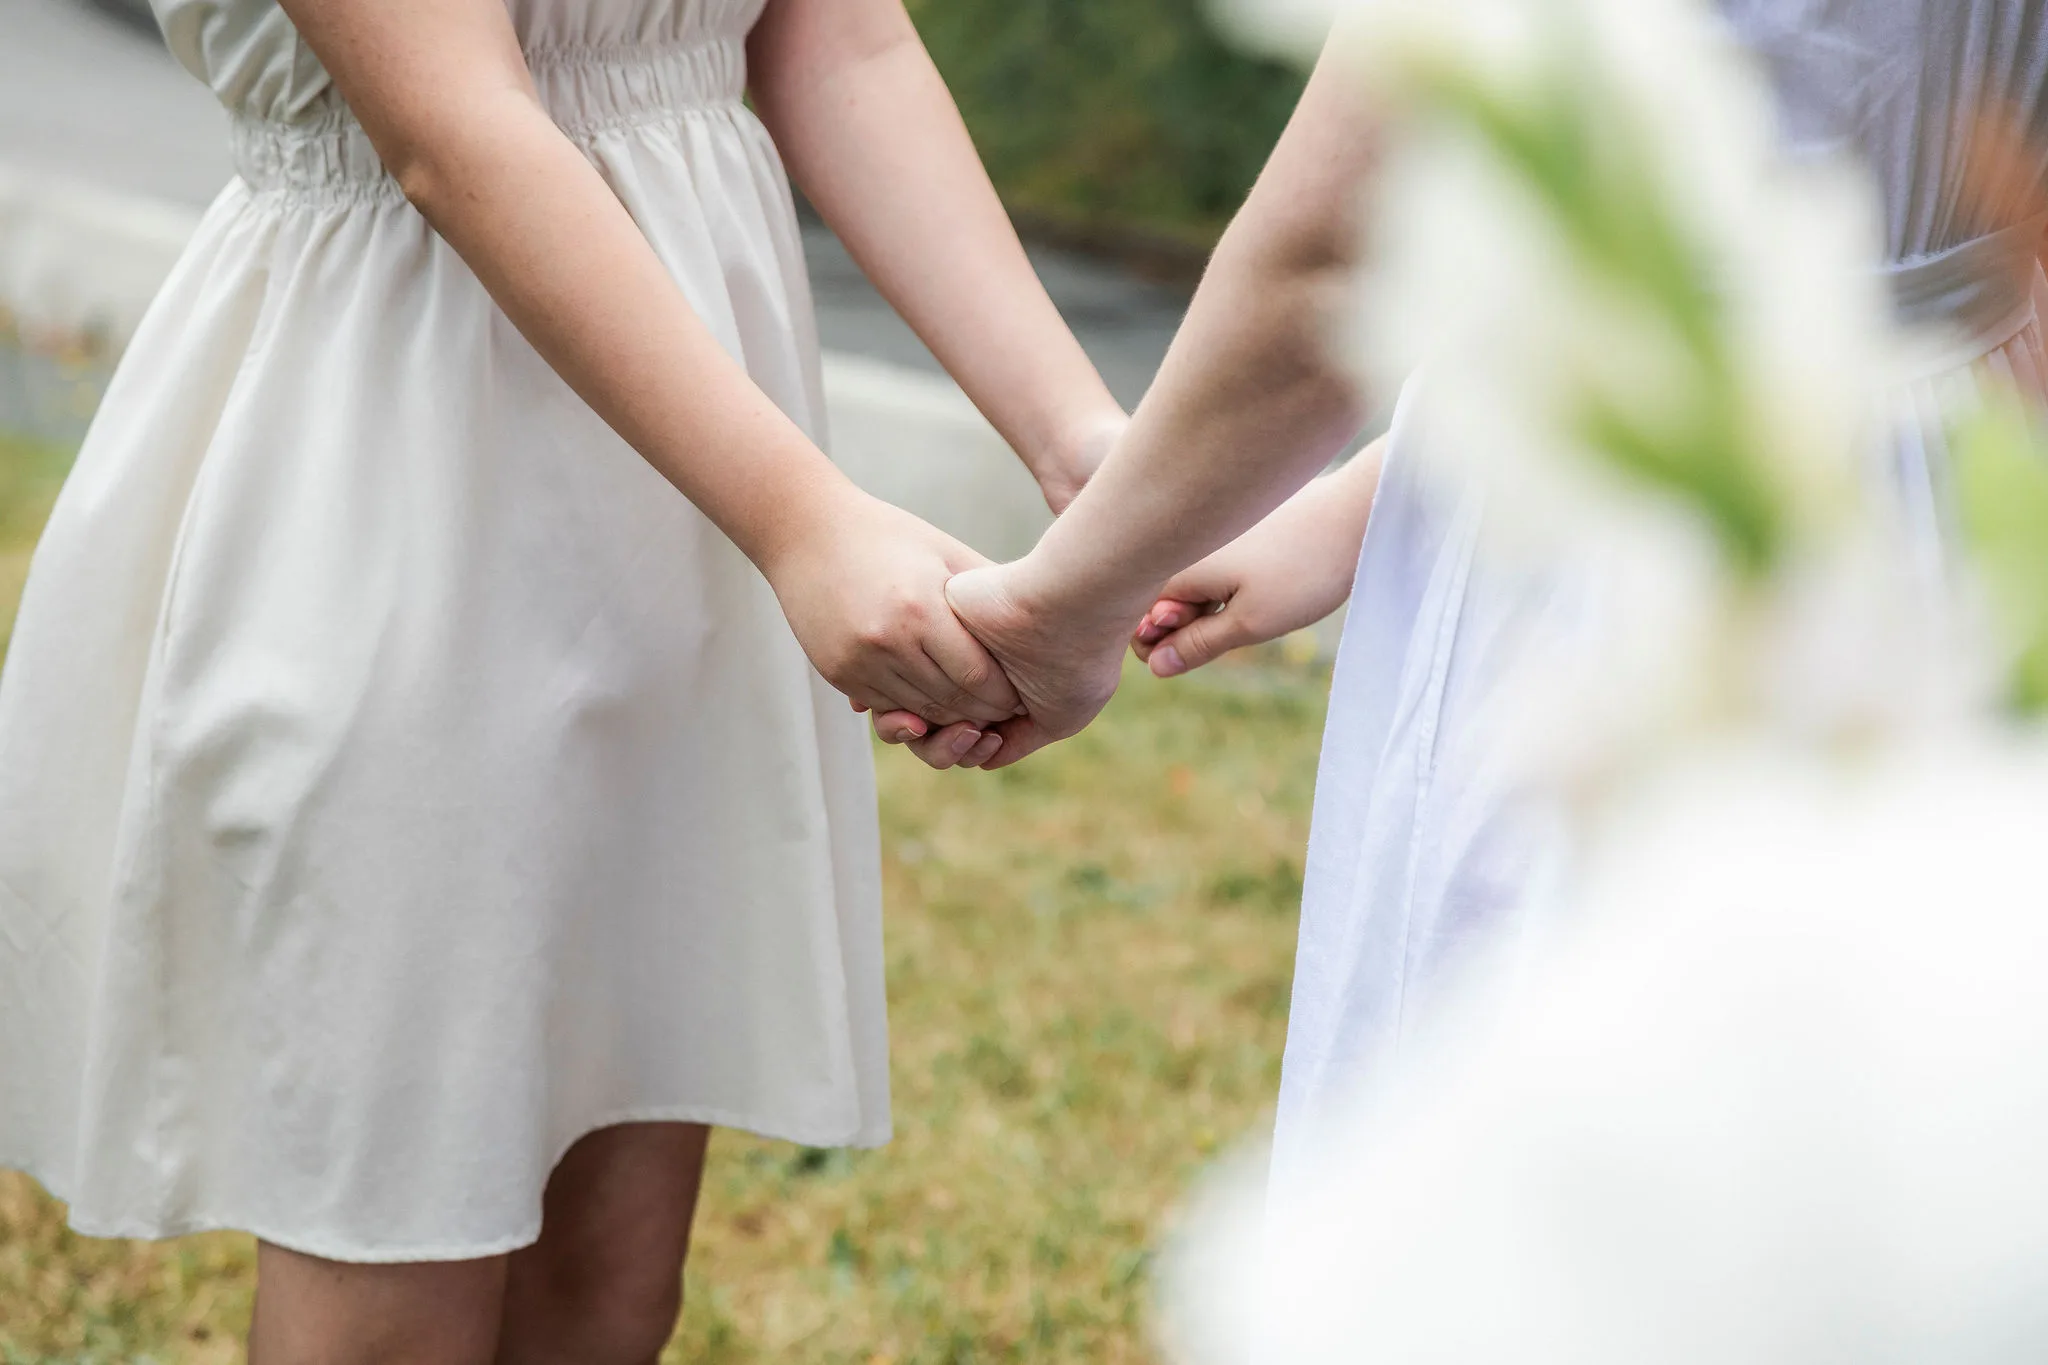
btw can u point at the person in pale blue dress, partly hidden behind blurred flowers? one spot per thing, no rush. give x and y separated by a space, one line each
1426 846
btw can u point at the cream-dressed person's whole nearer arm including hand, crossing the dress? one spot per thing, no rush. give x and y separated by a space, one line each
445 95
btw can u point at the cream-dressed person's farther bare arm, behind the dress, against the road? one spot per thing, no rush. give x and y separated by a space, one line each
871 134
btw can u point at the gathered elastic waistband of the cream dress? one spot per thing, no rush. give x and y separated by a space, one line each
585 89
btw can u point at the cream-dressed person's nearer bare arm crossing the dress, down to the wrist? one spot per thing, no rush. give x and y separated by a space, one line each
445 97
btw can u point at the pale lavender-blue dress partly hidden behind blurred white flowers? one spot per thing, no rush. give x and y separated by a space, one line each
1422 848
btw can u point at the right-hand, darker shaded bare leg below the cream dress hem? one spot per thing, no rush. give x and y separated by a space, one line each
603 1286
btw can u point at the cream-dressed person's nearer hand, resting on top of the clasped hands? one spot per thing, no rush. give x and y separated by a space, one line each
865 590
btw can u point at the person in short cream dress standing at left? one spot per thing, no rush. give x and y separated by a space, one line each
423 805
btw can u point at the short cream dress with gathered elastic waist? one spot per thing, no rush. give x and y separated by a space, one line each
398 779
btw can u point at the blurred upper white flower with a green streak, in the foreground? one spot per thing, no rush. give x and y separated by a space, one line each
1650 339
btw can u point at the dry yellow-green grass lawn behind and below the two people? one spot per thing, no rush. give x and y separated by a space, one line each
1089 975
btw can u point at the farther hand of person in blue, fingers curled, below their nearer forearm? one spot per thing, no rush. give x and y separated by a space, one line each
1283 576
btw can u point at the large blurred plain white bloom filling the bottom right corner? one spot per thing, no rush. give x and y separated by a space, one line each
1777 1102
